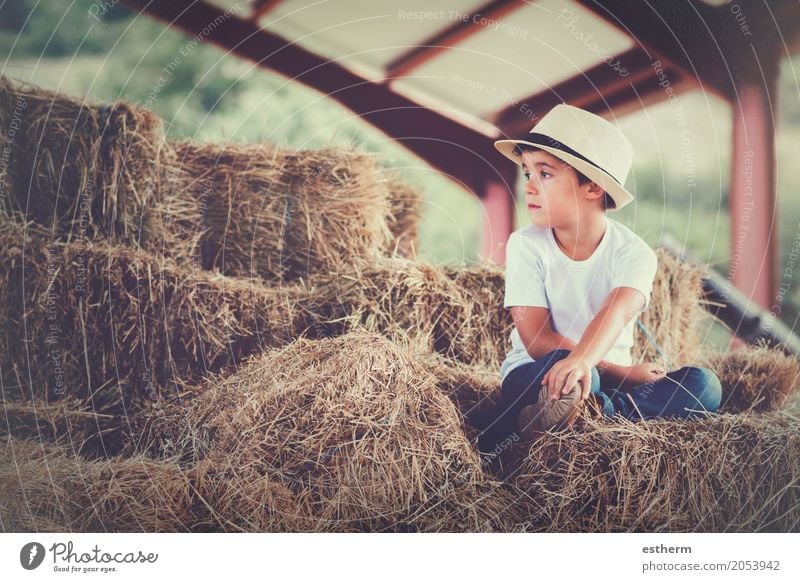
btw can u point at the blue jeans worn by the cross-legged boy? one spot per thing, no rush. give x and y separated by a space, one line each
689 392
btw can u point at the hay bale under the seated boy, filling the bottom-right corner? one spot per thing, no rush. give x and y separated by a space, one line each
721 474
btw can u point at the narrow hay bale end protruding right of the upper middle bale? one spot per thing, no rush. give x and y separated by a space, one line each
405 202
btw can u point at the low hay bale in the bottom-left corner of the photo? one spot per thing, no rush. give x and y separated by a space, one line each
48 489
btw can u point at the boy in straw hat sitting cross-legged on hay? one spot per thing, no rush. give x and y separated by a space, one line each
575 282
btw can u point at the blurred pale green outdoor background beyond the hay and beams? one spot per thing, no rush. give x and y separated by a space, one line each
105 51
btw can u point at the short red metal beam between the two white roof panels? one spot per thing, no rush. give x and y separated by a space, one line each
450 36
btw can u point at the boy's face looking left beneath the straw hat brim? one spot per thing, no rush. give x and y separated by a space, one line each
552 193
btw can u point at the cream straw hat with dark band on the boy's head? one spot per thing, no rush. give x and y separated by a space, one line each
587 142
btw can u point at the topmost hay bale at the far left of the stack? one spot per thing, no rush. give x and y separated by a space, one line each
83 169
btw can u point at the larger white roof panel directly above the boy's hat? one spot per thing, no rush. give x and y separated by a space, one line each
522 53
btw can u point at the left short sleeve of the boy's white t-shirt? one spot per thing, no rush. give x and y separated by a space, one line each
524 274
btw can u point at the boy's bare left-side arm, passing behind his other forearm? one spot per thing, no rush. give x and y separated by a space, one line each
539 338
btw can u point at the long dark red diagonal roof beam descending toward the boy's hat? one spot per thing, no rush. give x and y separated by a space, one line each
460 153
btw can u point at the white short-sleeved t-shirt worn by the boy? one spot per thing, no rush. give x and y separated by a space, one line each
539 274
